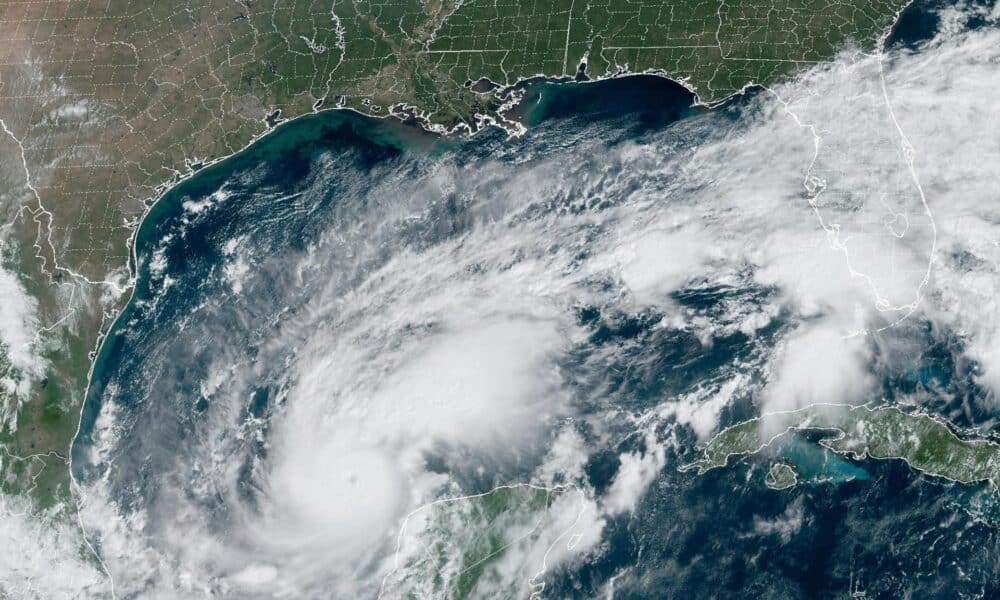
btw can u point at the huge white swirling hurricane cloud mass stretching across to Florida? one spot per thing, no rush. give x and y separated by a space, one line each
858 200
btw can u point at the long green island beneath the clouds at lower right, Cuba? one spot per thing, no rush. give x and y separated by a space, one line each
924 442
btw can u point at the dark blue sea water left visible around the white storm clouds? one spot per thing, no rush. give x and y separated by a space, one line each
872 525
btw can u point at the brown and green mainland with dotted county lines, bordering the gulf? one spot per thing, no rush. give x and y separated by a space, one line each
105 105
